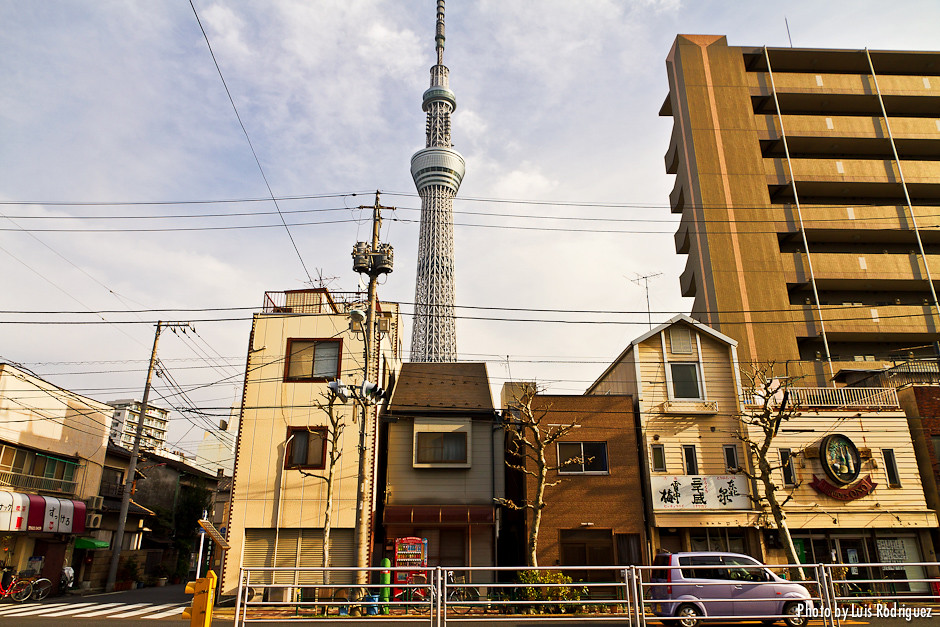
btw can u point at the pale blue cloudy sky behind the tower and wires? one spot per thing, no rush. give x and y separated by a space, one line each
557 105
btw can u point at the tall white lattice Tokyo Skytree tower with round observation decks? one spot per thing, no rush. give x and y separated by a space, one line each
437 171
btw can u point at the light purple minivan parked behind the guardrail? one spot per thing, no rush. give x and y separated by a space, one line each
726 585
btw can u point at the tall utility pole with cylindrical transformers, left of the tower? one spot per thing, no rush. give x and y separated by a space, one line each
373 260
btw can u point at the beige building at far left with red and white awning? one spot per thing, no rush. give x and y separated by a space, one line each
52 450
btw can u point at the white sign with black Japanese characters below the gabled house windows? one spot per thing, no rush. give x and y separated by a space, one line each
697 492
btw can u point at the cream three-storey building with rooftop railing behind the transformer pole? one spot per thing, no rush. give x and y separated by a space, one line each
299 342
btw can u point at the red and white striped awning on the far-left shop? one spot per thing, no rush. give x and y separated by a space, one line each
31 512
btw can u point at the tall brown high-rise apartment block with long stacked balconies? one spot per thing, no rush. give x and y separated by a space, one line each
809 186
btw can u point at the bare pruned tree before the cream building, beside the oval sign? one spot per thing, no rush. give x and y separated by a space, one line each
761 424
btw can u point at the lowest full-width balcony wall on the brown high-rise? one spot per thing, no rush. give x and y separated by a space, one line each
915 323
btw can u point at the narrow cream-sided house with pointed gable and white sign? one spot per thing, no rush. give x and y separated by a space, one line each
684 380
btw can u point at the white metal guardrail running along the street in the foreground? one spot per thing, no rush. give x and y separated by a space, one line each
438 595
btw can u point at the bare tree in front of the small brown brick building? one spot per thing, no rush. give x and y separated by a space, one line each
529 439
